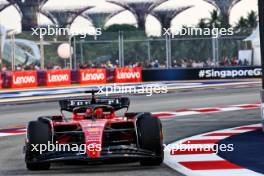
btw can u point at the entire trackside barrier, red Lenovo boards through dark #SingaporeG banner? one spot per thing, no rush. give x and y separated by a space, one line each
25 79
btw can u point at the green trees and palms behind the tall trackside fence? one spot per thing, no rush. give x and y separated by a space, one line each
136 43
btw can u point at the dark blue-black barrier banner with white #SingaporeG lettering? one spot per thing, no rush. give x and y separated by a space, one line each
201 73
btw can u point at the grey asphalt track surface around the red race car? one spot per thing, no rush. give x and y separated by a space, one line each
11 159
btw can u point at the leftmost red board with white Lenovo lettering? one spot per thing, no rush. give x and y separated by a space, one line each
24 79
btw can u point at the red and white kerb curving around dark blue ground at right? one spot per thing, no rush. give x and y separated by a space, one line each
197 164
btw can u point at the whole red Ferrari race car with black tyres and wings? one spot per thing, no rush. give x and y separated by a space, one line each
94 126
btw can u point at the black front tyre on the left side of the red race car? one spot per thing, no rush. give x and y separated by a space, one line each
38 132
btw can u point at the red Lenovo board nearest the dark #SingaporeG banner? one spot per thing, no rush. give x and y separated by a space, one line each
123 75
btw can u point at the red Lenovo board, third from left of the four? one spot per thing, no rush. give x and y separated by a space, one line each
92 76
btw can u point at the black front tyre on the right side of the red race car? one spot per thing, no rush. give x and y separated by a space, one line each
150 138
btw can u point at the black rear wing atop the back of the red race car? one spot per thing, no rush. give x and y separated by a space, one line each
117 103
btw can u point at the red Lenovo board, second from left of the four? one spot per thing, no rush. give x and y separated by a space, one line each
58 77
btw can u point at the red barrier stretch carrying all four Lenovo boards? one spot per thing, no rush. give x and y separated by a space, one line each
27 79
